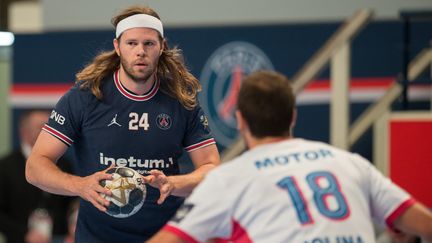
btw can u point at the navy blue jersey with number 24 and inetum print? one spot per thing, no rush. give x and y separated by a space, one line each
142 132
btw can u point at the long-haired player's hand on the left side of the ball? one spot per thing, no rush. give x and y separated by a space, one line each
89 189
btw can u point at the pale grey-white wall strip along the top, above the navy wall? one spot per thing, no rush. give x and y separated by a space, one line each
92 14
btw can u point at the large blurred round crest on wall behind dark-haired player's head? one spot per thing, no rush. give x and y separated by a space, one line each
221 78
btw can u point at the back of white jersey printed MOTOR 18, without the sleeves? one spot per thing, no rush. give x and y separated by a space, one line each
302 191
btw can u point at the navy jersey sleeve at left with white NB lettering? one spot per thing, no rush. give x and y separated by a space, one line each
65 119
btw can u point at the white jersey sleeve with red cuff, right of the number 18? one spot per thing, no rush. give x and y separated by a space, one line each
387 200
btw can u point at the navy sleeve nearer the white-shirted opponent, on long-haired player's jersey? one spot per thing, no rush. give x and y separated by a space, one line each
198 134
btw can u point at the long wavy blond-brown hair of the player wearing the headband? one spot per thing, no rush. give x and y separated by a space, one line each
176 79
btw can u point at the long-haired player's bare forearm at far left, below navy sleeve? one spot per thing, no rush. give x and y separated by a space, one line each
44 173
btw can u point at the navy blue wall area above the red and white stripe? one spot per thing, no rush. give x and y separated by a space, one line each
377 50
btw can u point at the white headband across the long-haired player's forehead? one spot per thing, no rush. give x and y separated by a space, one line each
139 20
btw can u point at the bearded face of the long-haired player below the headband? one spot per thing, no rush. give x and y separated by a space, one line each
139 50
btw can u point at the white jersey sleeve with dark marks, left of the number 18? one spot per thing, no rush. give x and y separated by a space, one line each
205 214
